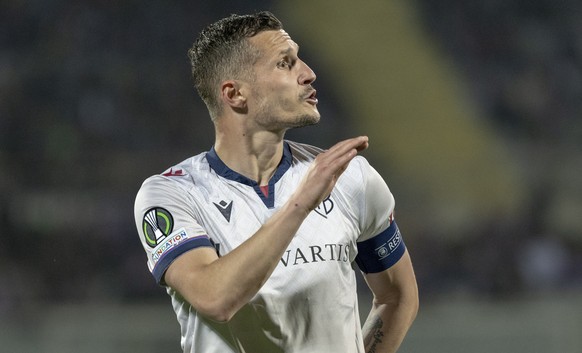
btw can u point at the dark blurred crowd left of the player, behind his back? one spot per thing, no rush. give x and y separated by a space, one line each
95 96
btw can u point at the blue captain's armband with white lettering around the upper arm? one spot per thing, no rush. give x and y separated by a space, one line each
382 251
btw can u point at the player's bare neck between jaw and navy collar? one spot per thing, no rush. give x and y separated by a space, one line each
255 155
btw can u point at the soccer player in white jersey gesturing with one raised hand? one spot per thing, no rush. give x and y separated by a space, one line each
255 239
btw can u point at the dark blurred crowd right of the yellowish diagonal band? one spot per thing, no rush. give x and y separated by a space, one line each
523 64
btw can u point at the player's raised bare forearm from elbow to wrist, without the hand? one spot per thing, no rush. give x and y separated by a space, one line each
232 280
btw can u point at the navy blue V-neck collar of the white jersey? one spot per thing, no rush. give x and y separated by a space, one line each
224 171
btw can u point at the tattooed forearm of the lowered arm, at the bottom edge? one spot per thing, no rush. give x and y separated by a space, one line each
387 325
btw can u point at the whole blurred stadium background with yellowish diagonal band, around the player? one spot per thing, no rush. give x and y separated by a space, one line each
473 109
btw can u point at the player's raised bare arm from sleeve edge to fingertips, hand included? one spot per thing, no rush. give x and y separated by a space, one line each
219 287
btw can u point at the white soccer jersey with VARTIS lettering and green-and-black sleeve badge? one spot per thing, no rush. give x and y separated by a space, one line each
309 304
